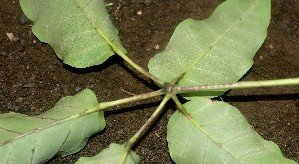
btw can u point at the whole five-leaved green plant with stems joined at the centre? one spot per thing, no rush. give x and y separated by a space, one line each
203 59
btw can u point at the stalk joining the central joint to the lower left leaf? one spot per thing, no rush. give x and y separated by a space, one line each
105 105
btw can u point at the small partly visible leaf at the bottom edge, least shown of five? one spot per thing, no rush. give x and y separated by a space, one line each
111 155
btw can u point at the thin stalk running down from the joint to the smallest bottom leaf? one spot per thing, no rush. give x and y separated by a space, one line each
133 139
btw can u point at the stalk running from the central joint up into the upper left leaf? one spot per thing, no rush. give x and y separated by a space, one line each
128 60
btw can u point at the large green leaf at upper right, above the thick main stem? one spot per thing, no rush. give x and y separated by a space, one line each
216 50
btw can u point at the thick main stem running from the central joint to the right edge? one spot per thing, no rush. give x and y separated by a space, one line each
239 85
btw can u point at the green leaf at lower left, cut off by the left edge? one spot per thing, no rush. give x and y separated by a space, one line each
63 130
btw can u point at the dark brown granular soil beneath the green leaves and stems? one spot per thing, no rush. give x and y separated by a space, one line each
32 79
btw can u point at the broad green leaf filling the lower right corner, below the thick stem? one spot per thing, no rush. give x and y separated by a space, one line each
215 132
